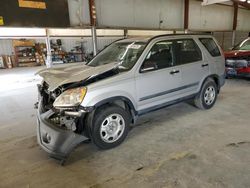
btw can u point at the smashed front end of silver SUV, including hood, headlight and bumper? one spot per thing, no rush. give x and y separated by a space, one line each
61 119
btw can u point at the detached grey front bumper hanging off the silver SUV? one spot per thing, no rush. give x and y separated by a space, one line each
54 140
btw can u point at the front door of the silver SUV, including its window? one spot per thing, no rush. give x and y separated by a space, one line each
158 79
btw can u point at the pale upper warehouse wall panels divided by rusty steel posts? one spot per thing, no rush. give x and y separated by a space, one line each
158 14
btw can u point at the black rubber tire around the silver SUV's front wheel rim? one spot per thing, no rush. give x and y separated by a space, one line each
101 115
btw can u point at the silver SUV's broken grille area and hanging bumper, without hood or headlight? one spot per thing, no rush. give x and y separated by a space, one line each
59 131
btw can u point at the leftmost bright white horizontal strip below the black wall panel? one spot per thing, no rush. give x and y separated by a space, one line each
22 32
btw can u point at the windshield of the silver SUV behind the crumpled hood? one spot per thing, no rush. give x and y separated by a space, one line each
124 53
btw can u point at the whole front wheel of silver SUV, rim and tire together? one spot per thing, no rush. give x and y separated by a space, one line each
110 127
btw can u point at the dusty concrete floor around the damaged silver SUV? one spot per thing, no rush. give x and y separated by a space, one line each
180 146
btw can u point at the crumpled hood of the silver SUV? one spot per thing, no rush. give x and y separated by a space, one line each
64 74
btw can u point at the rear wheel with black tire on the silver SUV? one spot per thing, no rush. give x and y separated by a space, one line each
201 101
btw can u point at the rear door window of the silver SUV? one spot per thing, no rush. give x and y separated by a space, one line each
187 51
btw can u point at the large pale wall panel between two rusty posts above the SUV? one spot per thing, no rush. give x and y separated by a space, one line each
140 13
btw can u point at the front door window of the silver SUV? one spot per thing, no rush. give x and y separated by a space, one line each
160 56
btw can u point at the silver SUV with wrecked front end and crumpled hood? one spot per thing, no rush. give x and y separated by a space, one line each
130 77
